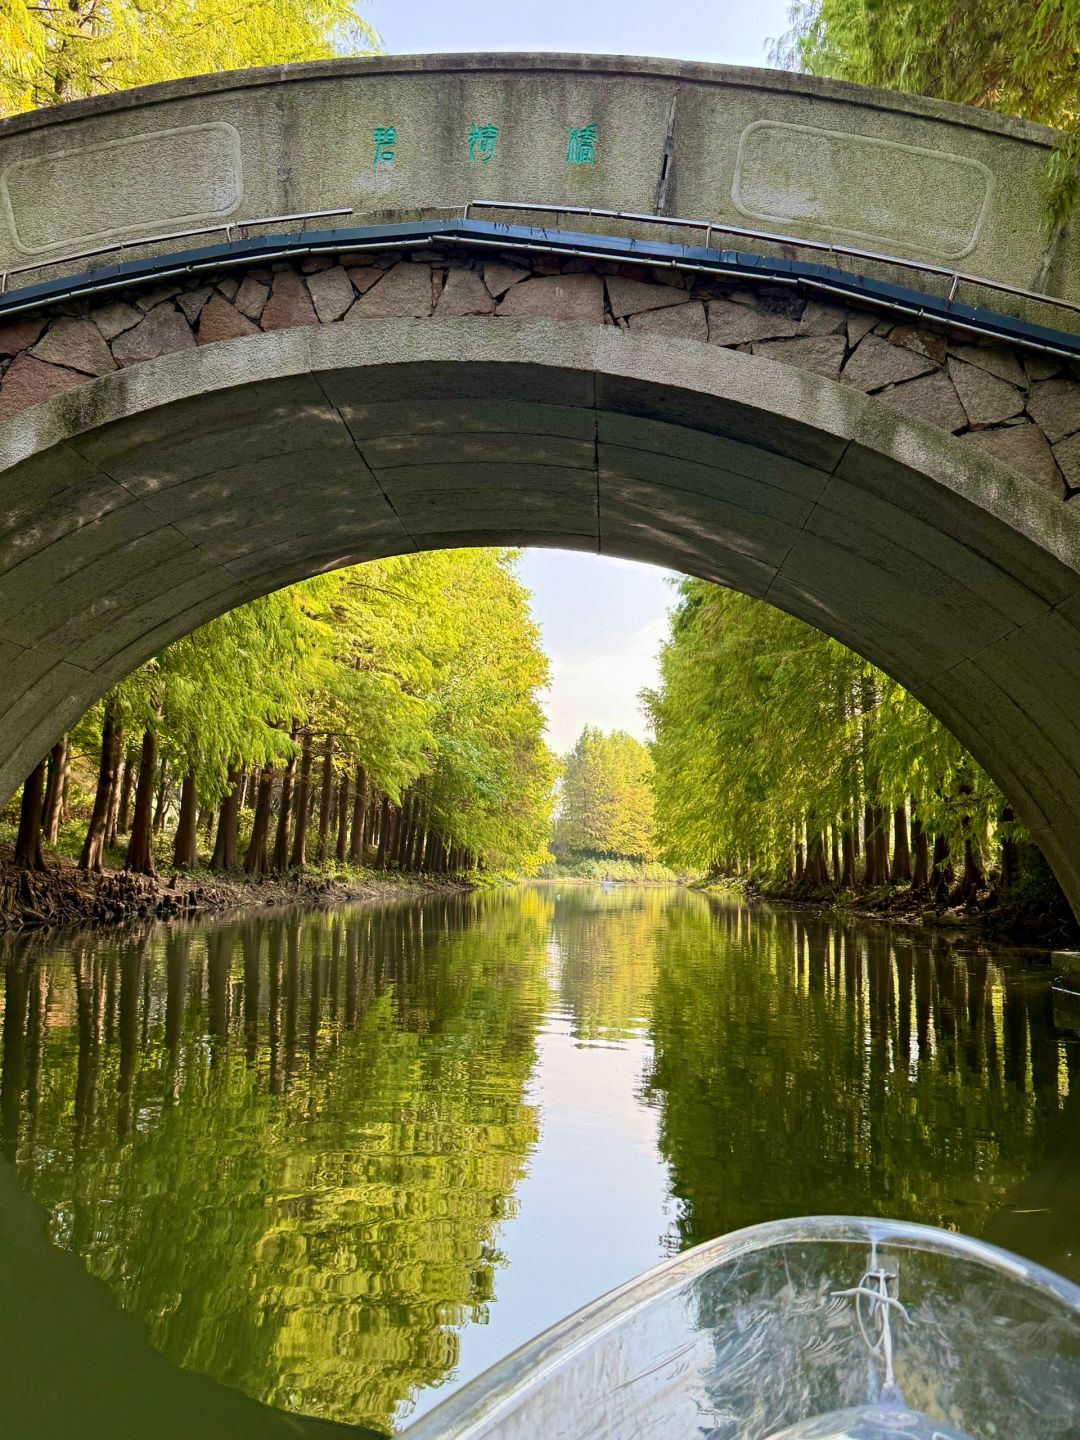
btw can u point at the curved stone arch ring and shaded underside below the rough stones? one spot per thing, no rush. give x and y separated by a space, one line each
152 500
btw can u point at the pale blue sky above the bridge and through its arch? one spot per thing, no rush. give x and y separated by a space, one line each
603 620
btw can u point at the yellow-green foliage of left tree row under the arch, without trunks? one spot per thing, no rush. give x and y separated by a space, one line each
423 670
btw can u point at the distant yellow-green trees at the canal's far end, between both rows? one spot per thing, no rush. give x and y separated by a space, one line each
606 801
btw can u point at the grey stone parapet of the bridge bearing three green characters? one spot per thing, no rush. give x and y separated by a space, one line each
391 139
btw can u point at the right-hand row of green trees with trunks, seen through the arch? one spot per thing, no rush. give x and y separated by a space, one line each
784 757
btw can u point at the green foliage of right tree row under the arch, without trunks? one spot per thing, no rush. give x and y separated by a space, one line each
768 731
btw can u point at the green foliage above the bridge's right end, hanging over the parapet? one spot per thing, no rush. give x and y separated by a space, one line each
1006 55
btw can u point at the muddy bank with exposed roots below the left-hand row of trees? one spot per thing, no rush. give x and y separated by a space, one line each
66 895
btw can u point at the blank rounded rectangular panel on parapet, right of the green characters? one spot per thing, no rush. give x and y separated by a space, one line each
860 188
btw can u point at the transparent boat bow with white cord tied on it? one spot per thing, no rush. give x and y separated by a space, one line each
747 1338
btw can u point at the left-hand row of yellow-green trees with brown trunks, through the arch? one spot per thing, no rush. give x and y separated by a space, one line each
384 714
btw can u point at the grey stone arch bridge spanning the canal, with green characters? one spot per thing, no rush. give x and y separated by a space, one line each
797 338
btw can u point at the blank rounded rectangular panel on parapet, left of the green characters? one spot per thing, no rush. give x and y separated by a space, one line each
163 178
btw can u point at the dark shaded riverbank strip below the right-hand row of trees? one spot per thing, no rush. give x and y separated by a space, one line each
1027 921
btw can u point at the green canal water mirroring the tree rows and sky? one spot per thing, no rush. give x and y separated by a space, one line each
345 1160
